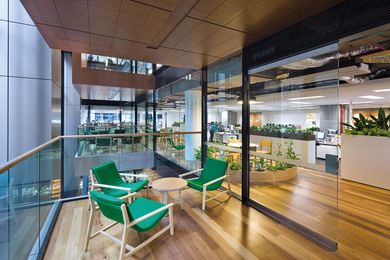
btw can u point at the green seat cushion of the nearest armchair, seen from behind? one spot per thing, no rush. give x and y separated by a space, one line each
140 207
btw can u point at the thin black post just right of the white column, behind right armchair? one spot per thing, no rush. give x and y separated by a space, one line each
204 114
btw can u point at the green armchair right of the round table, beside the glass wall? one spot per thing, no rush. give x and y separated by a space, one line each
211 178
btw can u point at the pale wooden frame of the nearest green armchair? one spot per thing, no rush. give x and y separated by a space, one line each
126 226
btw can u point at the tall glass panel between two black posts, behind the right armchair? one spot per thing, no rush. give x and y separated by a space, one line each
224 107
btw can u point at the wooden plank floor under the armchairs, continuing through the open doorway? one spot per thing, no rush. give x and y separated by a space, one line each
229 230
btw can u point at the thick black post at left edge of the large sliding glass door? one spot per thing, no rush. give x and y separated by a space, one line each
245 136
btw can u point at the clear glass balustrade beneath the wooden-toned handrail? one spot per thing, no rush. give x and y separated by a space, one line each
34 186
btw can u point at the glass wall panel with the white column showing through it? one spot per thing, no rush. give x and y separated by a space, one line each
179 109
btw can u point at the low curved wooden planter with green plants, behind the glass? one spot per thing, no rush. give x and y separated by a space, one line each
266 176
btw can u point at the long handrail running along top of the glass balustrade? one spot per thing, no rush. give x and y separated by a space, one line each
8 165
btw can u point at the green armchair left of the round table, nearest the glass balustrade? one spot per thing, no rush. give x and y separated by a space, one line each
107 178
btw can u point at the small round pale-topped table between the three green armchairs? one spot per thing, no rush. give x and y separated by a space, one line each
165 185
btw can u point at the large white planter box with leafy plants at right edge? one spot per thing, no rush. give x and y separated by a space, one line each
366 159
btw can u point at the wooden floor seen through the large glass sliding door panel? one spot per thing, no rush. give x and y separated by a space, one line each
310 199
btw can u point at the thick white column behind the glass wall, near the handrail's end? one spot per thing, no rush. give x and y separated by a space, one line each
193 121
